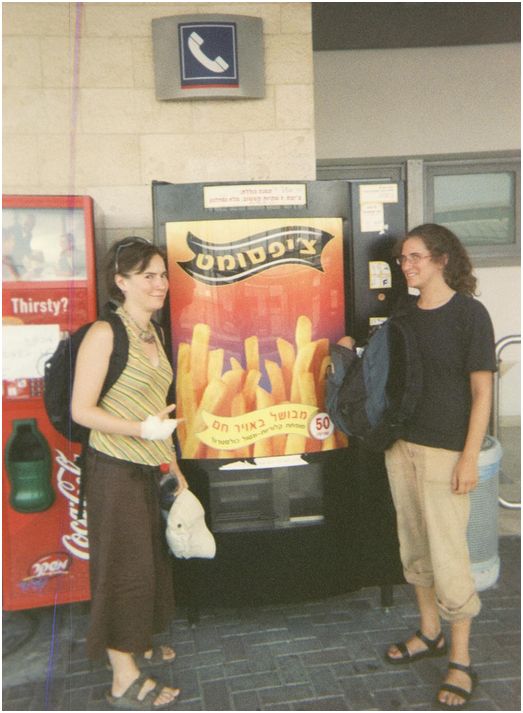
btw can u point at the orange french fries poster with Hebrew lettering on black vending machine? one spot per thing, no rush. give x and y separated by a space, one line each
254 304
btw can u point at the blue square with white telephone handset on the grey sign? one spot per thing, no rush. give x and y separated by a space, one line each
208 54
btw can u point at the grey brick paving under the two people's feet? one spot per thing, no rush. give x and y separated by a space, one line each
312 656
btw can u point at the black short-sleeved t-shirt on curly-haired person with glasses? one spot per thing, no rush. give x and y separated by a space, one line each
454 340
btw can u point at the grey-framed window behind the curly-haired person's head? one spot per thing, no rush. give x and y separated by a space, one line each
477 196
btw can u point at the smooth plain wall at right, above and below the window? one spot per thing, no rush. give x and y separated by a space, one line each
411 102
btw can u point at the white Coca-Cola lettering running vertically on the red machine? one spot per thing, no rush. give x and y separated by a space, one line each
68 484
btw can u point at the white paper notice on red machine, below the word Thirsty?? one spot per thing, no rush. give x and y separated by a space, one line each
26 349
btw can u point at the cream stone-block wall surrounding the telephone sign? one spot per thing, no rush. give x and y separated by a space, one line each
80 115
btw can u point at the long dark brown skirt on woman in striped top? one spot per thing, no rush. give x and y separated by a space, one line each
130 568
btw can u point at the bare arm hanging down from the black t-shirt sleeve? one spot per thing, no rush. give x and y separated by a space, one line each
465 476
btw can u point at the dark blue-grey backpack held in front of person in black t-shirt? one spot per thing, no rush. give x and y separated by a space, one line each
371 396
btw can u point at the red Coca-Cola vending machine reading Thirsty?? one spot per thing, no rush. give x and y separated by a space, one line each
49 290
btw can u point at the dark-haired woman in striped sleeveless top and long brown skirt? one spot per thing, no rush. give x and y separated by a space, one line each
130 438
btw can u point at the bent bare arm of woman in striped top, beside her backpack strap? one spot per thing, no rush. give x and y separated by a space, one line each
92 364
